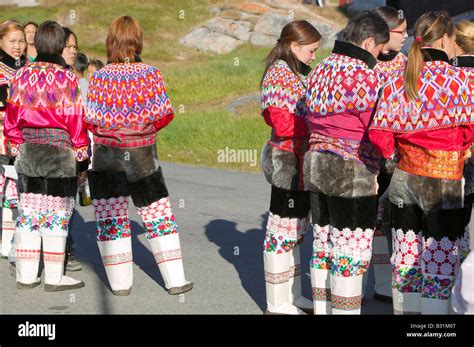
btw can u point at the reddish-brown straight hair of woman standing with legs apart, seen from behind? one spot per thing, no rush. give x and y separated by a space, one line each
124 41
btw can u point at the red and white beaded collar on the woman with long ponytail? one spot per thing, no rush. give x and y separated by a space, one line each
444 101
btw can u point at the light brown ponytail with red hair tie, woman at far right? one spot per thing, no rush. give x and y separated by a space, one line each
430 27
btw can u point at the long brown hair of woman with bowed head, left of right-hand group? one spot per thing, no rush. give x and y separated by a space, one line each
299 31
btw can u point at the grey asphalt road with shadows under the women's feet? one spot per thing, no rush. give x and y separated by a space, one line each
221 215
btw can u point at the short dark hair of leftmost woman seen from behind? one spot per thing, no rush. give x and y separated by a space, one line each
50 38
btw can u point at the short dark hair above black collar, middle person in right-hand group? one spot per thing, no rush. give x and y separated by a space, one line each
364 25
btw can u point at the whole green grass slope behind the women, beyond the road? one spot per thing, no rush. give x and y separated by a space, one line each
200 85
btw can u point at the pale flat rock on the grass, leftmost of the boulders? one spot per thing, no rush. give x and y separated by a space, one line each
205 40
